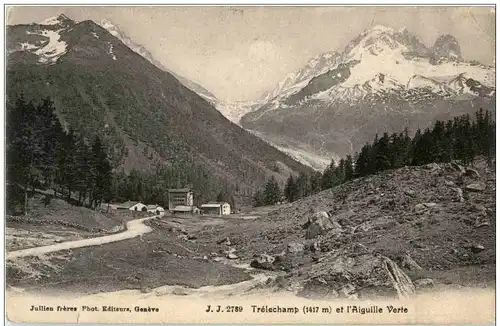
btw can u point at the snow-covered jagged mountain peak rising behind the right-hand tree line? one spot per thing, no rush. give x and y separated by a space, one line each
384 81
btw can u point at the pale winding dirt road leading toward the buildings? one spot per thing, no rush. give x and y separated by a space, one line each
134 228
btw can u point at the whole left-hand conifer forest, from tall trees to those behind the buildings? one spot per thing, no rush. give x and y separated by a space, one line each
42 155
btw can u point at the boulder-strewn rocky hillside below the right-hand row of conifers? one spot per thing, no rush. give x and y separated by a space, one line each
392 234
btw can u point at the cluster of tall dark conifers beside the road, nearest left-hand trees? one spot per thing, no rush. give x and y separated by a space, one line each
42 155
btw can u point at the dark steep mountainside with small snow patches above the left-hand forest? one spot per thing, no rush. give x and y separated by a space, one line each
145 115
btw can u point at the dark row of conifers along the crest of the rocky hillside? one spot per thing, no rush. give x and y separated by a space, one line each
460 139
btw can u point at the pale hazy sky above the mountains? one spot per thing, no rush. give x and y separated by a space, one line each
238 53
